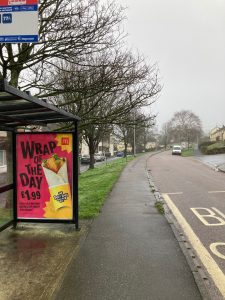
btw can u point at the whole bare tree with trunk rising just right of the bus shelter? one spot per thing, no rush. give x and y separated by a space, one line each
105 92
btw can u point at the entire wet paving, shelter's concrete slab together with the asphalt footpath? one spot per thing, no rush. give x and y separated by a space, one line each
37 259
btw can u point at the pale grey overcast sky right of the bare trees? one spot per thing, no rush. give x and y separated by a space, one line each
187 40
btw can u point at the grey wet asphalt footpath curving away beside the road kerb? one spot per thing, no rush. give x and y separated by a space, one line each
130 251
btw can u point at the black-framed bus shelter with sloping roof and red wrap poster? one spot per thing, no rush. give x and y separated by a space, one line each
38 170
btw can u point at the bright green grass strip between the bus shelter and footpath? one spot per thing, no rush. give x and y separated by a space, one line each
95 185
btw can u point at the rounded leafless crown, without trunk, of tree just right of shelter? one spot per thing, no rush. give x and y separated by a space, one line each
117 75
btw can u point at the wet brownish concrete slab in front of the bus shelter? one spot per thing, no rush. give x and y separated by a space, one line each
34 257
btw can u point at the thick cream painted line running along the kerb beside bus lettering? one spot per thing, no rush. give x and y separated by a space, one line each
205 257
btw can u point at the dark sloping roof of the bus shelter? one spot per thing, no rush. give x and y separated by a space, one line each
19 108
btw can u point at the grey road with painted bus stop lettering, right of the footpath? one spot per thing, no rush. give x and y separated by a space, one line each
195 194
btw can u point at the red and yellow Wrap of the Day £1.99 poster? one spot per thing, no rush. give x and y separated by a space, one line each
44 176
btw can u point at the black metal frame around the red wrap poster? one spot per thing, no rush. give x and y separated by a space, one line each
74 219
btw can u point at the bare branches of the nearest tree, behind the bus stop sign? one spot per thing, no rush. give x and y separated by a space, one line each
68 30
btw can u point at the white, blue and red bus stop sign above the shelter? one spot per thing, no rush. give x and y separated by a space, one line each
18 21
